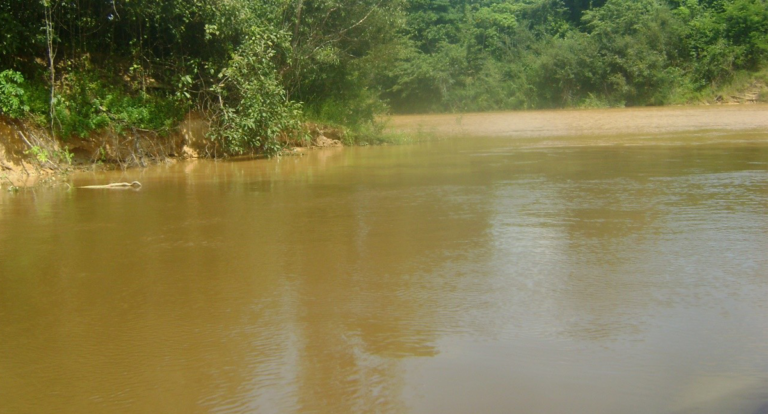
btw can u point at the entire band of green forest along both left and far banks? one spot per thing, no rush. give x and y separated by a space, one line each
257 70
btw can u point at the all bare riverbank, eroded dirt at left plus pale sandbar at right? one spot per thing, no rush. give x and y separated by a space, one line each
29 157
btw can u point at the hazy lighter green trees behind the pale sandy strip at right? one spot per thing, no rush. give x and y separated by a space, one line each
502 54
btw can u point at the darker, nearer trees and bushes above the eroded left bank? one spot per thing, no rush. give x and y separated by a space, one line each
249 66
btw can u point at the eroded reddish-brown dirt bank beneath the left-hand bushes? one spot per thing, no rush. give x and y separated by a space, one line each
28 155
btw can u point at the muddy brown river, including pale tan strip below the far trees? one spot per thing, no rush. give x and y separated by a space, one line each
595 262
